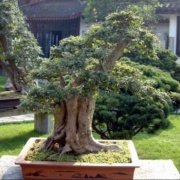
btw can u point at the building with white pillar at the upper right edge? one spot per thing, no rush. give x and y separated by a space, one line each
169 30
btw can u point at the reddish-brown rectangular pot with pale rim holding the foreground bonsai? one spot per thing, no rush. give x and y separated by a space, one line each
68 171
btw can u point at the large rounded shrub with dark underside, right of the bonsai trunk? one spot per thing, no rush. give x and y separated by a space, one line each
134 105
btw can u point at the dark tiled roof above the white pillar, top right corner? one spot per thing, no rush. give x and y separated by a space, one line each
169 7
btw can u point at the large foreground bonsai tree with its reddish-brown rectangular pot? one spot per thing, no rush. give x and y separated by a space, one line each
71 79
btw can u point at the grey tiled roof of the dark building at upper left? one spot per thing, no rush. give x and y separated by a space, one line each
52 9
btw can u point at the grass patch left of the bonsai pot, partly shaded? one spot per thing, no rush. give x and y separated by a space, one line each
14 136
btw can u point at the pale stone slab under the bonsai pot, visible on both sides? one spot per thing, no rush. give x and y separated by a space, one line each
149 169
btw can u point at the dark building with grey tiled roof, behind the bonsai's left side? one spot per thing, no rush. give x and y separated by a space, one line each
52 20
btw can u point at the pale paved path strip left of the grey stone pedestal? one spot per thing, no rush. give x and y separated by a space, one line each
19 118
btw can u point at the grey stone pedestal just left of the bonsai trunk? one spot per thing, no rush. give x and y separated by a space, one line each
43 122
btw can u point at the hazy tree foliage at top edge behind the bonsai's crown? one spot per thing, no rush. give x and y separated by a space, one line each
97 10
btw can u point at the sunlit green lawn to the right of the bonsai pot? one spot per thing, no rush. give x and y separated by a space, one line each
165 144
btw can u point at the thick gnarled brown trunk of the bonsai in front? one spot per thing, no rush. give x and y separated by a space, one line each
73 128
